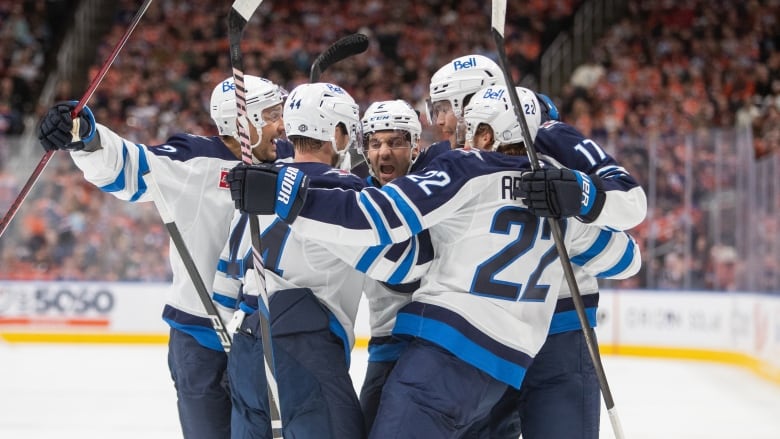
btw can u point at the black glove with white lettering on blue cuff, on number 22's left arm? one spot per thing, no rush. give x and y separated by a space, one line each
267 189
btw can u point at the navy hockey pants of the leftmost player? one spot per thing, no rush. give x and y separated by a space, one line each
199 375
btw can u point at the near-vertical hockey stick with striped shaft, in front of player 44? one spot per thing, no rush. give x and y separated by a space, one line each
240 13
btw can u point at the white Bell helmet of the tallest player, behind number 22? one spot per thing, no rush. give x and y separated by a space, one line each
461 78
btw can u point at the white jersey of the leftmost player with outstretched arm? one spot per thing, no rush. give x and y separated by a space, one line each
191 172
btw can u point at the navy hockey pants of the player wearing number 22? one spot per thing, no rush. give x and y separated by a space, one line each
431 394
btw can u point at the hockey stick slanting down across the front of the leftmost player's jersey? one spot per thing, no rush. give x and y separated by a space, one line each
186 257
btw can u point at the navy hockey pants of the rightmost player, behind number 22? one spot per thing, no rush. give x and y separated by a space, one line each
559 399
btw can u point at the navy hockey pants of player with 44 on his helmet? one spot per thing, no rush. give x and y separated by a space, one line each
318 399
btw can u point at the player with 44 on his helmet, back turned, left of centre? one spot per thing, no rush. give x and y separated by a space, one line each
313 295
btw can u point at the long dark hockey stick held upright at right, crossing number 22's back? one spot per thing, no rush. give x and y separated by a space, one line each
498 21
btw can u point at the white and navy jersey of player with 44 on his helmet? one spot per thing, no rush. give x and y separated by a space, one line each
294 262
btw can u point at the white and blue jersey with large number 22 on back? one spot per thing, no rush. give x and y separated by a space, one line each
492 286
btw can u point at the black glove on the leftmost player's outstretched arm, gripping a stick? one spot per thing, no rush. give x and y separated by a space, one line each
56 129
